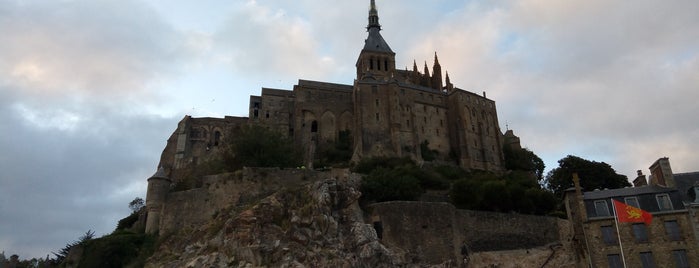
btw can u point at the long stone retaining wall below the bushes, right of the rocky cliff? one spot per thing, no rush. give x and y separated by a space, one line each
435 232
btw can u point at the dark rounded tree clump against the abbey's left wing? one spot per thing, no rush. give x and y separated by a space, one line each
258 146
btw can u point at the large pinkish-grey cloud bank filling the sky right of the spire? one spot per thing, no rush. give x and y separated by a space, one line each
606 81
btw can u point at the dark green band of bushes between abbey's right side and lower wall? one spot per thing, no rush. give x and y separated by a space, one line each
517 190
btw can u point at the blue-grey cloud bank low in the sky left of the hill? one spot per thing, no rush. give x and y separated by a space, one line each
56 185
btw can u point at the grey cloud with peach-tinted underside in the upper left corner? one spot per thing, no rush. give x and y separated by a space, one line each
96 47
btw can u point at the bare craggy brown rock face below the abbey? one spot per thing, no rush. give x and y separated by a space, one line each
318 224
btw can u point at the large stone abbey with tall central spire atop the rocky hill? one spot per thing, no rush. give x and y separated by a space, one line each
387 111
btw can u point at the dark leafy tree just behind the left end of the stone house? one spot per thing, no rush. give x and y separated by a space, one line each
593 175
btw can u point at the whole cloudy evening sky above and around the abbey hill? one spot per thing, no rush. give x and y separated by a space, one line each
90 90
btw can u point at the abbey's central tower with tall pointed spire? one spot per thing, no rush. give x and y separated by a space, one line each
376 57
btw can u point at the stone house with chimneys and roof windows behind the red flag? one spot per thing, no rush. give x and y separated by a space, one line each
668 241
